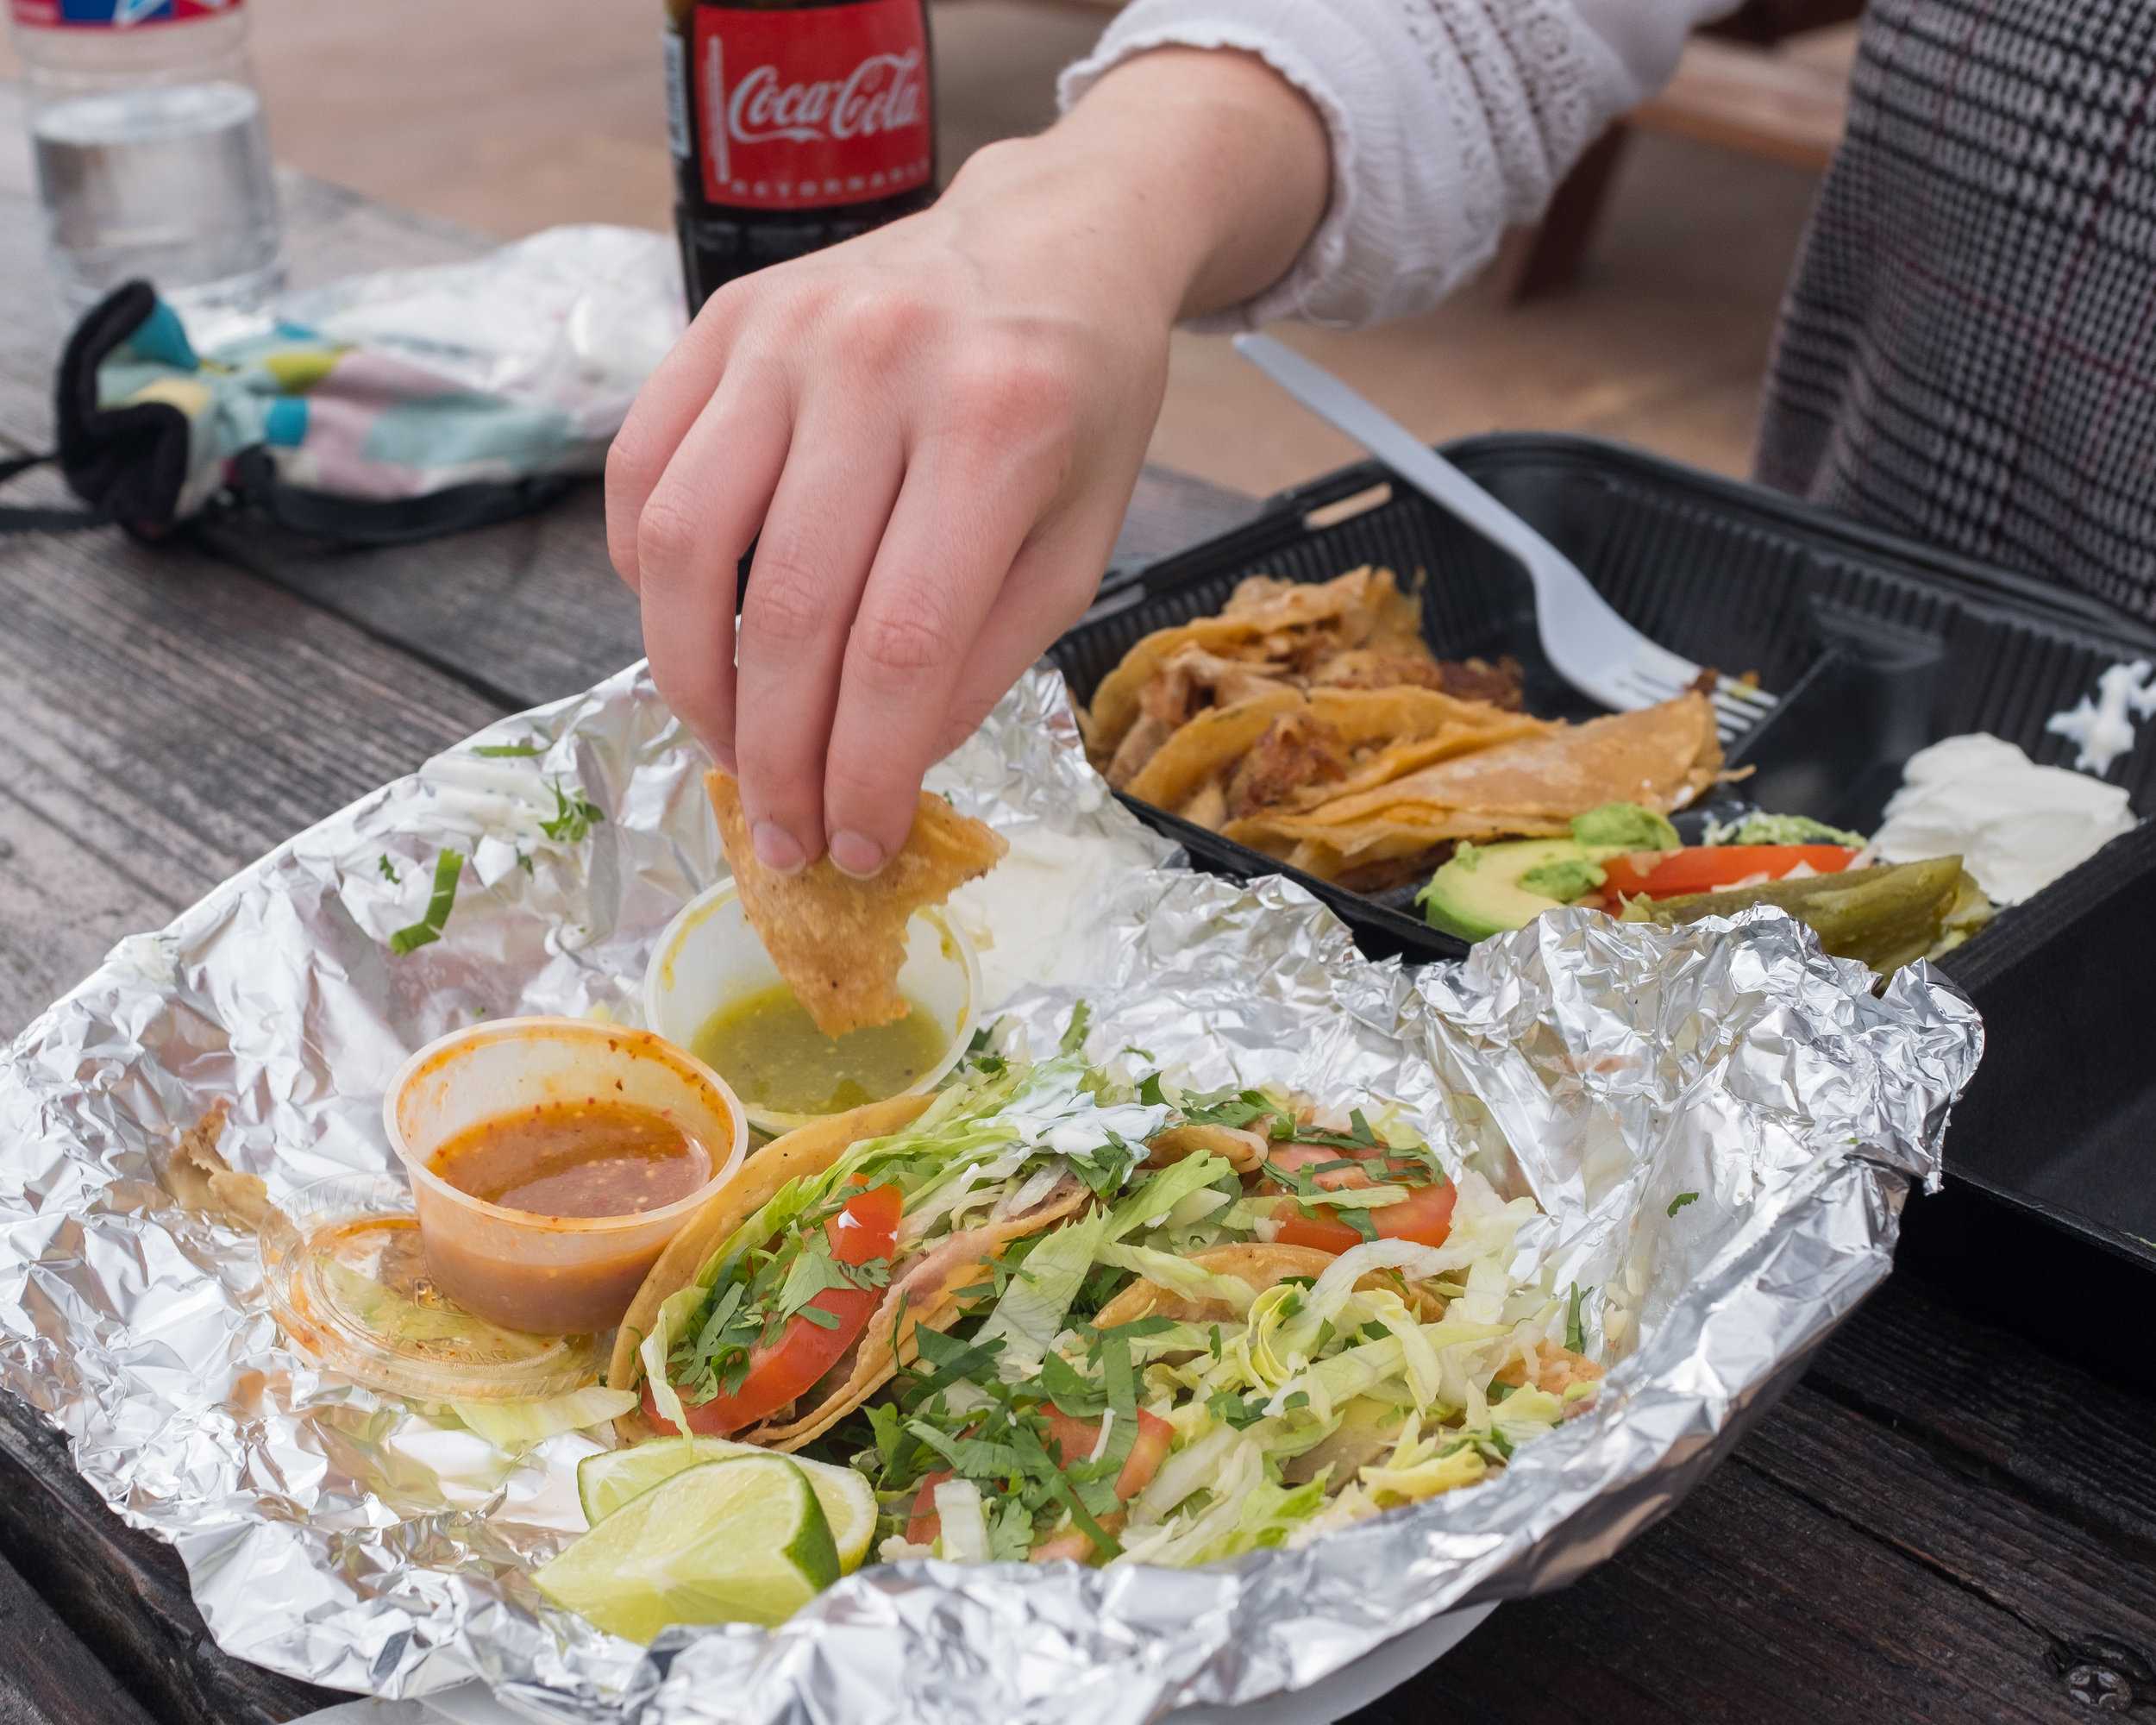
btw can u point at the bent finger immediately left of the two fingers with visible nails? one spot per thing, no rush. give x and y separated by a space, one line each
691 534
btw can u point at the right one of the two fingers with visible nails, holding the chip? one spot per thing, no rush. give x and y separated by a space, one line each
950 547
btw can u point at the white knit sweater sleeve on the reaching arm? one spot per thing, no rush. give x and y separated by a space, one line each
1450 122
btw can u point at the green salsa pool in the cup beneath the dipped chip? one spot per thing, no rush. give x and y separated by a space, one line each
775 1055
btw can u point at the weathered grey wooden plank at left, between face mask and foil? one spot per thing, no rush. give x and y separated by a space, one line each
171 719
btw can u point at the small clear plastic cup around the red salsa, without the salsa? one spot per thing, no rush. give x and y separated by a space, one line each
549 1275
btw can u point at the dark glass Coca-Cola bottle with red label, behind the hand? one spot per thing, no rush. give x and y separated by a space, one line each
794 124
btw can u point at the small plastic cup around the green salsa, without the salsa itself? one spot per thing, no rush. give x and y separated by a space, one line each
710 958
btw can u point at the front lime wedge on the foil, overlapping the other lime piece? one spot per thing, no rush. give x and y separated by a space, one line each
721 1543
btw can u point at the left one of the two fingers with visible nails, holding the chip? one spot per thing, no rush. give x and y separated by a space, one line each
812 568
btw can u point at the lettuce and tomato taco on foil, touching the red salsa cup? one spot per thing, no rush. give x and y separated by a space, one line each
807 1278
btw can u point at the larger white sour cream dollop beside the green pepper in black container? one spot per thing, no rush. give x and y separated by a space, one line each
2015 825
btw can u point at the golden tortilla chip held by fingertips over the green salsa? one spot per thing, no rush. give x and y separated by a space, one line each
838 941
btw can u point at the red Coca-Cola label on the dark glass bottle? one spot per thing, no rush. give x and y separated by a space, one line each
807 109
